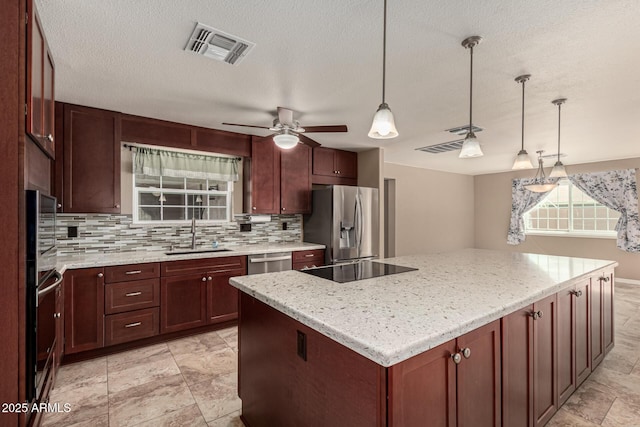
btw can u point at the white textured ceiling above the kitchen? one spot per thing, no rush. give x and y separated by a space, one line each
323 59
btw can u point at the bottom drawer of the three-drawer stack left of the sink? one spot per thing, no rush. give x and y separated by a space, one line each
132 325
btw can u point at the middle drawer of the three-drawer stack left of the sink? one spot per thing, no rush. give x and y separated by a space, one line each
127 296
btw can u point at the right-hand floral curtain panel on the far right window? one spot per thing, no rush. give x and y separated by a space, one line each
616 190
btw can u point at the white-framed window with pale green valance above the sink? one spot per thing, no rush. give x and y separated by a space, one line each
176 187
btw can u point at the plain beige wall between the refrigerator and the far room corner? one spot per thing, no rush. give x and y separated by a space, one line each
434 210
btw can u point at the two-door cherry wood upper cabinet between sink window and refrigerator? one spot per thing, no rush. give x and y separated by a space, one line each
280 180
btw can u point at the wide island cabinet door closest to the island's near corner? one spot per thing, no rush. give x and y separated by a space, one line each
422 390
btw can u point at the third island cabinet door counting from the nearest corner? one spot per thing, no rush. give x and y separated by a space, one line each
517 368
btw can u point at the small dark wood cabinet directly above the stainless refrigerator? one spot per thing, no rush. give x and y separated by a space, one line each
331 166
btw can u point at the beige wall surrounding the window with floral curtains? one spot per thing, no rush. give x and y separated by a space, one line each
493 211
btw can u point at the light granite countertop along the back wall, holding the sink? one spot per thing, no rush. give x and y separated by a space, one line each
137 257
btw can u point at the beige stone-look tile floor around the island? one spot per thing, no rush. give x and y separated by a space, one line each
192 382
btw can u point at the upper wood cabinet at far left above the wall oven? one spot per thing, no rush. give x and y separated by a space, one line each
40 84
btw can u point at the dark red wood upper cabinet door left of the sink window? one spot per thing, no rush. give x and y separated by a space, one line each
91 160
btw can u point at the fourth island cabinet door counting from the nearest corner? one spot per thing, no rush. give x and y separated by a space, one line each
545 386
